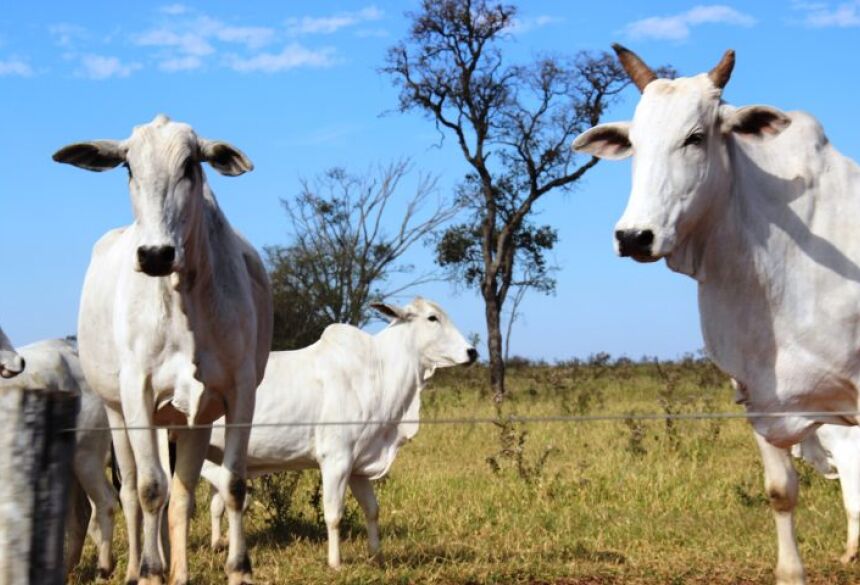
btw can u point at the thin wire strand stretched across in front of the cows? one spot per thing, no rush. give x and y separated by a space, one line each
536 419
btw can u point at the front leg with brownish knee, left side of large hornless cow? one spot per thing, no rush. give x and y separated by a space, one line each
152 487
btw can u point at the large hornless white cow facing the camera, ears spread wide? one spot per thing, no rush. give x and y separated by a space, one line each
174 328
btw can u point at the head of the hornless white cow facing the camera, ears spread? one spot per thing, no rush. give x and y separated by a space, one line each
166 183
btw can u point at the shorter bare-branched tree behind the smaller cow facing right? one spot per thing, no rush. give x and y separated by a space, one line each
348 240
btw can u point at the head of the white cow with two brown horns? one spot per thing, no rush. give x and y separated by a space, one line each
678 139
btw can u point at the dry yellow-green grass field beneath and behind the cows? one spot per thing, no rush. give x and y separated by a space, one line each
560 503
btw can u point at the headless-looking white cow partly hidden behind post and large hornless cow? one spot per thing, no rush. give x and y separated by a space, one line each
54 364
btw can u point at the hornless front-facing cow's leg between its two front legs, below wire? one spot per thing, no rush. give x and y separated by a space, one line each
191 446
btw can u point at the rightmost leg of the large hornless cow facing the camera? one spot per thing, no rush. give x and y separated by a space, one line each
230 478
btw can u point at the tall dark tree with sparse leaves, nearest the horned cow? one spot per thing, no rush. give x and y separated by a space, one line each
513 125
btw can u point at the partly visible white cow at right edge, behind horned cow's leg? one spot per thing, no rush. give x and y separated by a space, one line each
832 451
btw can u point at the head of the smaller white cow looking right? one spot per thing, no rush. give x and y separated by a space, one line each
432 334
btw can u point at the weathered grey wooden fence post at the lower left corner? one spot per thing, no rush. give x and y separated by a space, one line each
36 456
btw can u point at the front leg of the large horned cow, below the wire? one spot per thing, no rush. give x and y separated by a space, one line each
780 481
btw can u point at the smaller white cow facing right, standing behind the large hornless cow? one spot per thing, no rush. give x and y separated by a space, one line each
348 375
